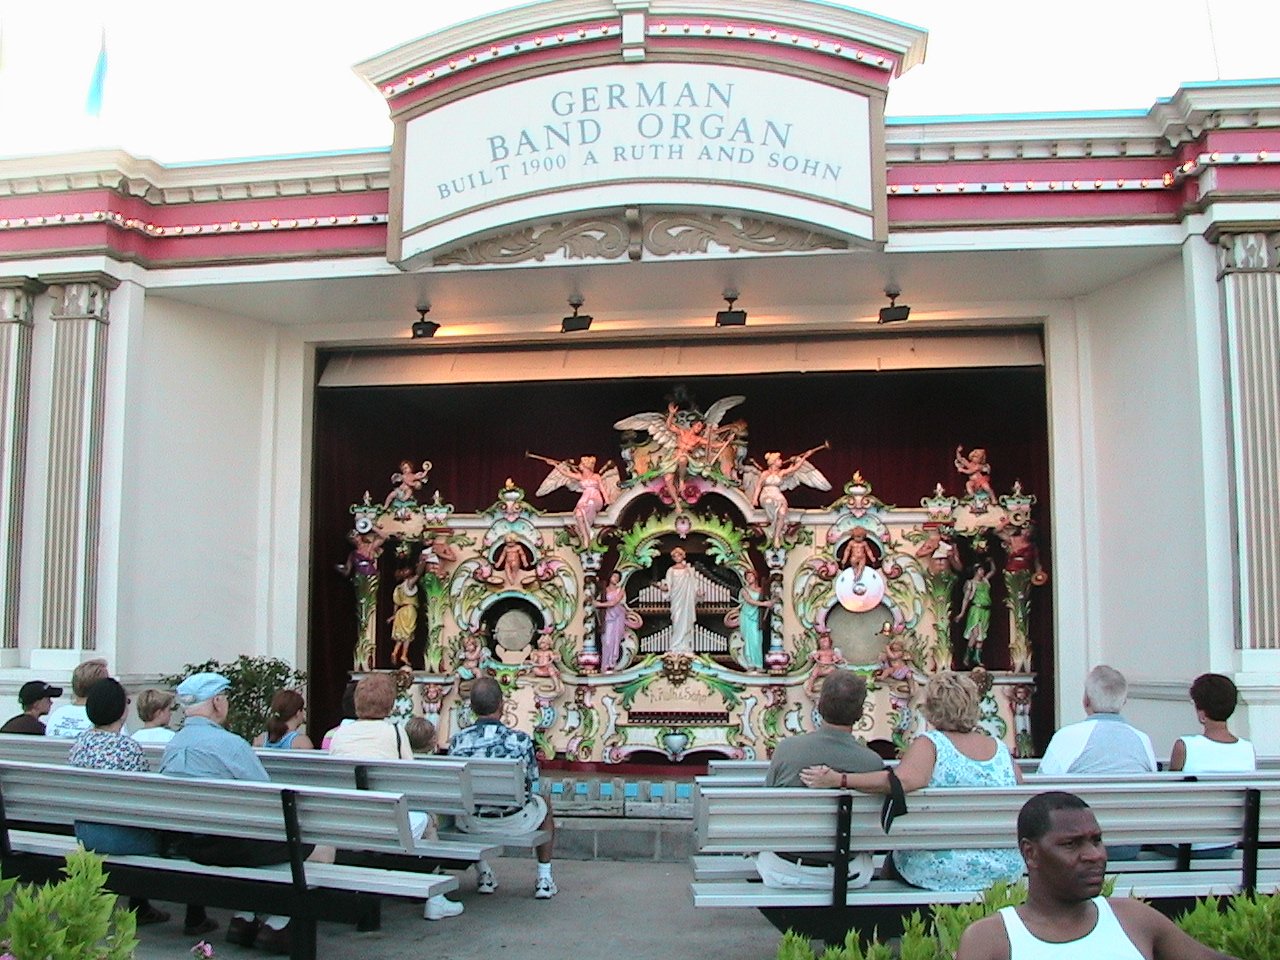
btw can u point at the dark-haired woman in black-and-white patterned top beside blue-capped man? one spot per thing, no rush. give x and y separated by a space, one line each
106 748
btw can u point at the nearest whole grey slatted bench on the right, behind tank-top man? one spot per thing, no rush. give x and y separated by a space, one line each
743 821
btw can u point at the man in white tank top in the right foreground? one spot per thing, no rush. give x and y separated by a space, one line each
1064 917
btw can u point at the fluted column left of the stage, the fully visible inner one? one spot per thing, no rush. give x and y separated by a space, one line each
80 321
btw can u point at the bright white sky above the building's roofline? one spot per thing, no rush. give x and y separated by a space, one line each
191 81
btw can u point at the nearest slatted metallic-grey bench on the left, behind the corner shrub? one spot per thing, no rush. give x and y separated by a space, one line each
298 816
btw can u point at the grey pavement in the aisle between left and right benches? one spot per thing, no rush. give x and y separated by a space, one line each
605 911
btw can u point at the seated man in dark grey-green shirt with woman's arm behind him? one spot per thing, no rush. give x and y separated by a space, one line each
840 706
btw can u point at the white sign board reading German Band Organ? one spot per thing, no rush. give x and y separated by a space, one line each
652 134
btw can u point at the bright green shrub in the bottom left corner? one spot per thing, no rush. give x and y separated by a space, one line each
72 920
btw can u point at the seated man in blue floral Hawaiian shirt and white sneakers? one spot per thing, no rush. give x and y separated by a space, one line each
490 737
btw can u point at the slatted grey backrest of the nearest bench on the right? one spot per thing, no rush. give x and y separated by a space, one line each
747 820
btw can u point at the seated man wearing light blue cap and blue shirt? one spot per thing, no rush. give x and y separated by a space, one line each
205 749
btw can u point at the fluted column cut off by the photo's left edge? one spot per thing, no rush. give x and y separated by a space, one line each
17 300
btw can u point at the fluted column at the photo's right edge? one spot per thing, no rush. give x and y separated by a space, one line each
1250 281
